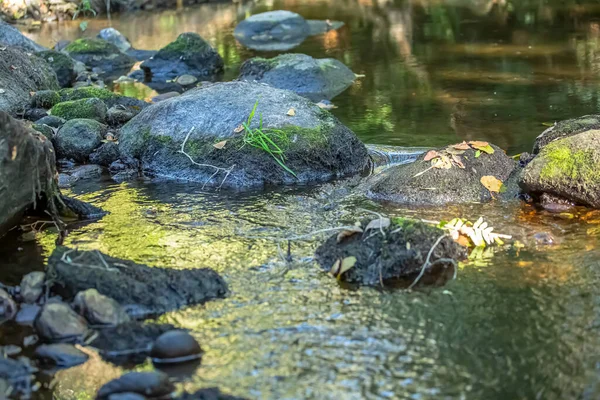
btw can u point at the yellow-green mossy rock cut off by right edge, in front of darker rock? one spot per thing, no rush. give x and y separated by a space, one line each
568 168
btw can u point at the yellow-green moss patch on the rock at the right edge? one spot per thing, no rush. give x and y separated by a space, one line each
562 163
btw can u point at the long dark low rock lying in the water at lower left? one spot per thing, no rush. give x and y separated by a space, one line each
148 290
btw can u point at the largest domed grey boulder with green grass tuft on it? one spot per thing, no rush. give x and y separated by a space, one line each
317 146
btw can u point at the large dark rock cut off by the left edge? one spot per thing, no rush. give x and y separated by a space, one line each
27 171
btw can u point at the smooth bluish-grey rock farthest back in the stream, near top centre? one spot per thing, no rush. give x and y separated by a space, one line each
272 31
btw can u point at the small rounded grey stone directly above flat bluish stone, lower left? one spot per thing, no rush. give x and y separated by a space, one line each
57 322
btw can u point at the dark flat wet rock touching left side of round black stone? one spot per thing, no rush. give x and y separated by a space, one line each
128 343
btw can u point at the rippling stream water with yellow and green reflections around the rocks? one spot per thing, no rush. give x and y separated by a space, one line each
517 323
